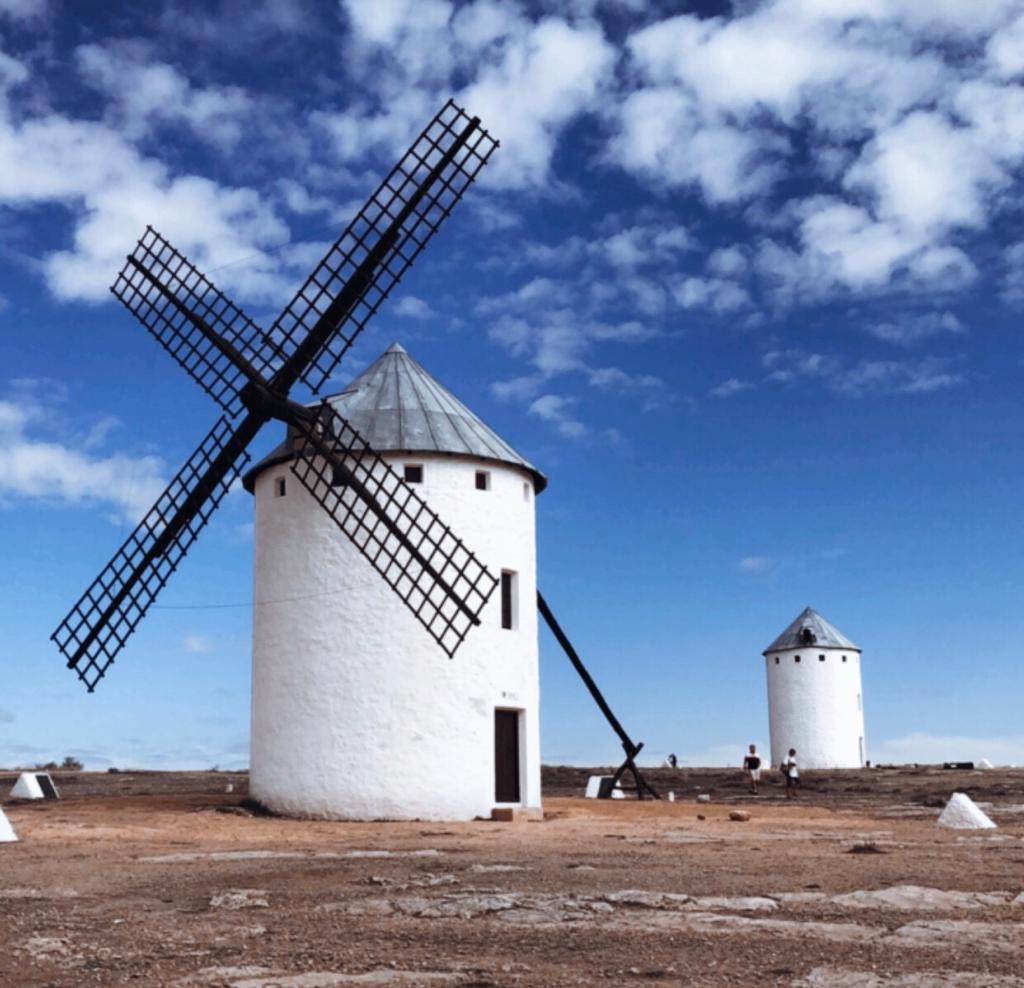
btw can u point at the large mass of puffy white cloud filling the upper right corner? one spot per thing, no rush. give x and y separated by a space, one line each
728 105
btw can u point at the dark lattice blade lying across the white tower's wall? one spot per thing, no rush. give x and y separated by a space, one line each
435 575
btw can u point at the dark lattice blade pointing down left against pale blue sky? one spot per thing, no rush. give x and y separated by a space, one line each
98 627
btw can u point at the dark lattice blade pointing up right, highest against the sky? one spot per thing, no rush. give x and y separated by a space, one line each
364 266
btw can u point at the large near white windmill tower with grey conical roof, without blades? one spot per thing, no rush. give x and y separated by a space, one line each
358 713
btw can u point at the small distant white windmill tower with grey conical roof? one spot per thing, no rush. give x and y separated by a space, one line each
816 702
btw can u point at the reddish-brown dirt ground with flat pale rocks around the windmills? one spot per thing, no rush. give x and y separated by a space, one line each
166 879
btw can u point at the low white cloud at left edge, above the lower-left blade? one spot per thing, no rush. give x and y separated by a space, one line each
34 466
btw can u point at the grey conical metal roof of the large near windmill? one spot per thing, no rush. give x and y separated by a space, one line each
398 407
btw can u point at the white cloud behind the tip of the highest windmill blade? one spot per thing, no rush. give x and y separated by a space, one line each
529 80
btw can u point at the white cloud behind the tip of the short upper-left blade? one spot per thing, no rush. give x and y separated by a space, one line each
112 192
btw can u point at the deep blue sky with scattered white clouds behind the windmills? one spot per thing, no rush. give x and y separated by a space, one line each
744 280
